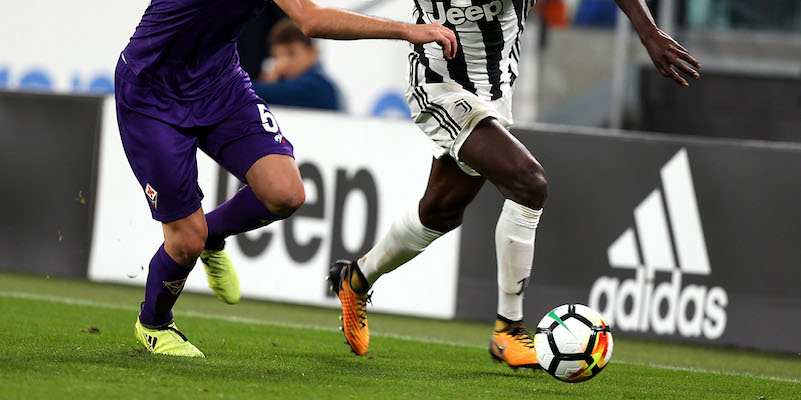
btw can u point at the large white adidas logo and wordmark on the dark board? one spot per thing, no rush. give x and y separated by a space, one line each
671 244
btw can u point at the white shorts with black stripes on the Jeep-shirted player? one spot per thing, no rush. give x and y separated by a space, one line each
447 114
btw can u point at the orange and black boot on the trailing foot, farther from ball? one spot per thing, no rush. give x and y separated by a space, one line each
354 303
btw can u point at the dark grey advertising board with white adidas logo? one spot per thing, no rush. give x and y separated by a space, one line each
674 238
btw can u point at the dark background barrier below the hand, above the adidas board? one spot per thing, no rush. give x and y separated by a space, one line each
740 104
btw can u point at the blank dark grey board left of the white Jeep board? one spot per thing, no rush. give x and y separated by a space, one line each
47 164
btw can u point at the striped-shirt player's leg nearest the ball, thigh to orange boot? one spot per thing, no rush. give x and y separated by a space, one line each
496 154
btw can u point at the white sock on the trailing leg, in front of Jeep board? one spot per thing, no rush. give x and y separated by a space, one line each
405 240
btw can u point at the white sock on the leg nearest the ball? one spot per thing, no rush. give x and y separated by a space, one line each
514 246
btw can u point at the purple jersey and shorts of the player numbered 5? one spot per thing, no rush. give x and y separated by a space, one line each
178 87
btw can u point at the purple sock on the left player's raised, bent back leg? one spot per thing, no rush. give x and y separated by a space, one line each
243 212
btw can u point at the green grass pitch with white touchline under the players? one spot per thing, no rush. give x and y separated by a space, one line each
270 350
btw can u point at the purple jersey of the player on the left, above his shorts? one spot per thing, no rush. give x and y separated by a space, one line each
187 48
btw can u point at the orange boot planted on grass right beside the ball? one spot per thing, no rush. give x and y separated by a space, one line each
513 344
